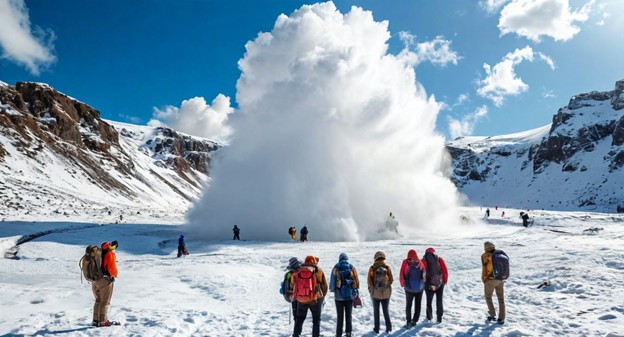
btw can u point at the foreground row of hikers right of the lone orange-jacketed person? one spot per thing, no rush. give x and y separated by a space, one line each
305 287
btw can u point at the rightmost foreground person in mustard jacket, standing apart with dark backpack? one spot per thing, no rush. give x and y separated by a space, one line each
491 284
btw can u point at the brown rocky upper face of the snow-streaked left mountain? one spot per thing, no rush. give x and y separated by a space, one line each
48 126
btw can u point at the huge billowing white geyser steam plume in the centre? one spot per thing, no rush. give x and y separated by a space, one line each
332 132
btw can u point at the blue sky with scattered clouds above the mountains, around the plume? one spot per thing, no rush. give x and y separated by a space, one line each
497 66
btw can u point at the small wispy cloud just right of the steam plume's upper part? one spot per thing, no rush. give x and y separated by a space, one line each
437 51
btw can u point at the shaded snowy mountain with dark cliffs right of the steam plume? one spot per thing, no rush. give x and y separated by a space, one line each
574 163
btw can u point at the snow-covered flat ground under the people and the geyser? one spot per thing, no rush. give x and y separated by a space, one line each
227 288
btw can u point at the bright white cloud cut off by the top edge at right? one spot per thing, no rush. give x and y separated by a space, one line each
536 18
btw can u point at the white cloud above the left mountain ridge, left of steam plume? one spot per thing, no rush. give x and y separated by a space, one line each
195 117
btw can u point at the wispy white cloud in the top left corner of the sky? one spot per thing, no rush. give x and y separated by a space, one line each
19 43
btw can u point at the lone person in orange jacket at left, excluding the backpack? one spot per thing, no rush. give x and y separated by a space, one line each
103 288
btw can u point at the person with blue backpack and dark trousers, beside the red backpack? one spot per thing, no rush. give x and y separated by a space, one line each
344 283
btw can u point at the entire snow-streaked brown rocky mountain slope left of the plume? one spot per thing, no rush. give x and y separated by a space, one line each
57 153
